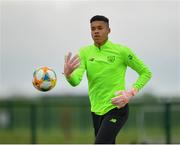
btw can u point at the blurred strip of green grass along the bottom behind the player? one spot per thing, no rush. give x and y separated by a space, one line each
55 136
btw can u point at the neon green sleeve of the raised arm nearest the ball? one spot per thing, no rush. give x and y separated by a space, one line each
76 76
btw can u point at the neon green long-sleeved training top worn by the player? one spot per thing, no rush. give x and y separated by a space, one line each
105 69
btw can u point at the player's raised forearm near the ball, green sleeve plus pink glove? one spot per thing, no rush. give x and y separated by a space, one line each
74 69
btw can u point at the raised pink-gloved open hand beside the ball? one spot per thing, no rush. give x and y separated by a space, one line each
70 64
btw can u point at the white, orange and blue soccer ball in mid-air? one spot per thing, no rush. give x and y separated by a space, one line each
44 79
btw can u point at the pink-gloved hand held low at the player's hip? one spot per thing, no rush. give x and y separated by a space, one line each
123 97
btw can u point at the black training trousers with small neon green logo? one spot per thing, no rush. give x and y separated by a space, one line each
107 126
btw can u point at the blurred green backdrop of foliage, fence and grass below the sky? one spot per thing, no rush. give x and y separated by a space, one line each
67 119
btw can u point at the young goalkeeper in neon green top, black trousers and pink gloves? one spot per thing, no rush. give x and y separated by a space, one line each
105 64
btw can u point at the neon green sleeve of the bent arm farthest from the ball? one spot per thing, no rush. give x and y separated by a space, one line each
138 65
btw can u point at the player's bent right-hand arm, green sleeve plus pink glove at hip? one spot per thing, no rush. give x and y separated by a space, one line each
131 60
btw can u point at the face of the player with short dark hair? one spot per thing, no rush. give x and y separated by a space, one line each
99 32
